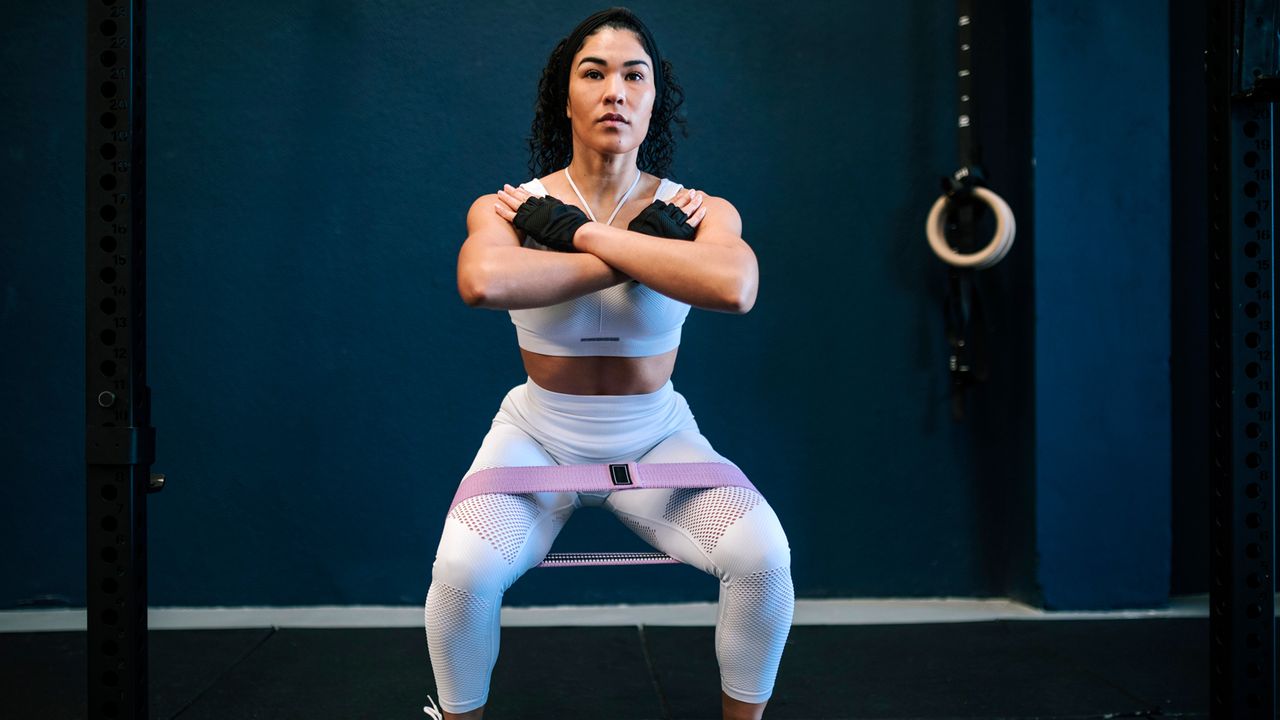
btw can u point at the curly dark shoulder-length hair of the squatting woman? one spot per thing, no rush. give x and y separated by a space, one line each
551 144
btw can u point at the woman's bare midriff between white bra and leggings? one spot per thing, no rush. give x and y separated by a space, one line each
600 376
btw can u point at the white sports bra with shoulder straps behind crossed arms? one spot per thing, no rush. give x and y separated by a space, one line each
625 321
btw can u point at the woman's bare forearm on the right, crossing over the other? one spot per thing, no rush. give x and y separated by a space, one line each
708 276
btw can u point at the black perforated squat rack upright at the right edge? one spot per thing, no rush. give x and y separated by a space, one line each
1244 83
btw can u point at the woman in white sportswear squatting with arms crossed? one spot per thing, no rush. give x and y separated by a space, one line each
598 265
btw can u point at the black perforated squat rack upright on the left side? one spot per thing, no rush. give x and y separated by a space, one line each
120 444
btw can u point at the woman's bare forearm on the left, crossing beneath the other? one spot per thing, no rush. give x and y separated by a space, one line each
514 279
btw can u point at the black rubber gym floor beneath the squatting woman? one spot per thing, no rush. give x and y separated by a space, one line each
1020 669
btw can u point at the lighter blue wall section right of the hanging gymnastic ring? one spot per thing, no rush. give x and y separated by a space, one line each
1103 277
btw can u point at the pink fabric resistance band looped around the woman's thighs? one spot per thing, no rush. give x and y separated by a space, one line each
601 479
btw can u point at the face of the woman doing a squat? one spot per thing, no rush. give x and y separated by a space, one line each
611 76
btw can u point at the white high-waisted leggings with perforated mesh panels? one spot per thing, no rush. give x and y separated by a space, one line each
490 541
